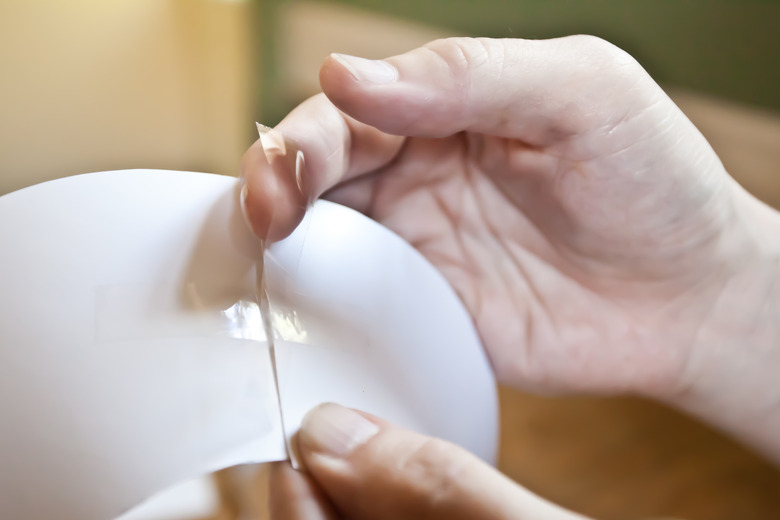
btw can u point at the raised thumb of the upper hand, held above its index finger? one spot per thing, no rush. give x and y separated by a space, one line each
540 91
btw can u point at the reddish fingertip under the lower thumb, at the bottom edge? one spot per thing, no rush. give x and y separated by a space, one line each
293 496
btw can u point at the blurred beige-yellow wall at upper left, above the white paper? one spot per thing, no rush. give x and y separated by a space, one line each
89 85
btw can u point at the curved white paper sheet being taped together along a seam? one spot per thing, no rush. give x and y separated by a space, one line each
131 357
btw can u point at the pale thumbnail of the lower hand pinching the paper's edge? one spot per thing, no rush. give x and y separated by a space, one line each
333 430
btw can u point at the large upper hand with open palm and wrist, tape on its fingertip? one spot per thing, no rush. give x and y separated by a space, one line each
589 228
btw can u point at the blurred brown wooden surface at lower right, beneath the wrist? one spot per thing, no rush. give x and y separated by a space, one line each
631 459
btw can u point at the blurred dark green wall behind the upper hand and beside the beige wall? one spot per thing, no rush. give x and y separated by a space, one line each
729 49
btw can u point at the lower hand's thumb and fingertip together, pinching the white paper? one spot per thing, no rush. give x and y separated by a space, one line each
396 474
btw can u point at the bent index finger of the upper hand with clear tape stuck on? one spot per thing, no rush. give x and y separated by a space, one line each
315 147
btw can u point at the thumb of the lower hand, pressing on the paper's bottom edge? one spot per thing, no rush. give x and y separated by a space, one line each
372 469
